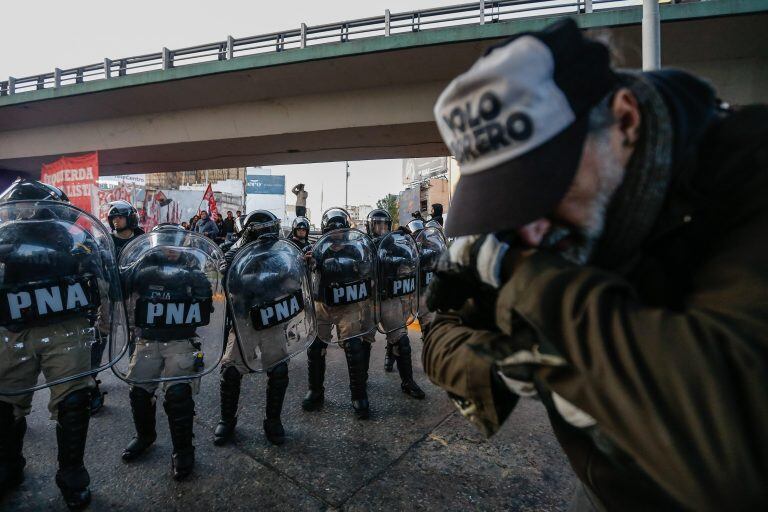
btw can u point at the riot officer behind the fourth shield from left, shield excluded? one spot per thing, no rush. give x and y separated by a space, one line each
356 349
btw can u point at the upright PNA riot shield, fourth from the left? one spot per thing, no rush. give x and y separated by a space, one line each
343 269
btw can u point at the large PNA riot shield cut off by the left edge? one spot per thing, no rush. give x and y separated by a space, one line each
62 316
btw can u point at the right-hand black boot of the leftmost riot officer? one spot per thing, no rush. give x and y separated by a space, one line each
71 432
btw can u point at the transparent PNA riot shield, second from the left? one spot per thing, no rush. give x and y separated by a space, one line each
176 307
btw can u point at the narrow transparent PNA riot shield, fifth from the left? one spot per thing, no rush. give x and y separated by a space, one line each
398 264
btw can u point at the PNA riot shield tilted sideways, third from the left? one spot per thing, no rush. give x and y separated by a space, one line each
270 302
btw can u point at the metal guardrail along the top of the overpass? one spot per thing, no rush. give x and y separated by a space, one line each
482 12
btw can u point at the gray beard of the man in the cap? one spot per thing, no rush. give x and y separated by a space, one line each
584 238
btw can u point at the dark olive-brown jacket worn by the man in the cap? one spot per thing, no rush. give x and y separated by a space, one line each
667 357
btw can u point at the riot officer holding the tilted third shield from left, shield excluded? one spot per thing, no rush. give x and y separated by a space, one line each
254 225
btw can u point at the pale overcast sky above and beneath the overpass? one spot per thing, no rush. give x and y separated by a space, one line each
41 35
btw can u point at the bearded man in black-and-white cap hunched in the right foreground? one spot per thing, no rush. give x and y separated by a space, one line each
611 260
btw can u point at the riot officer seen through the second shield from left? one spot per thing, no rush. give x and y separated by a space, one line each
168 274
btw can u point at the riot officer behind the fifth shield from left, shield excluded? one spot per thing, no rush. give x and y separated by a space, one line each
377 224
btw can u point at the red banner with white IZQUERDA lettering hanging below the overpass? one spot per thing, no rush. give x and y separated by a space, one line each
77 176
